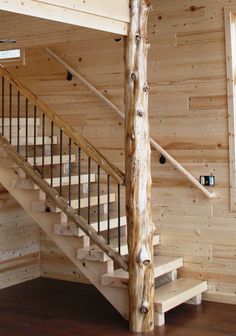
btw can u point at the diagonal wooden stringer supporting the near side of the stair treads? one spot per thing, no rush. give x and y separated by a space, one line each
92 270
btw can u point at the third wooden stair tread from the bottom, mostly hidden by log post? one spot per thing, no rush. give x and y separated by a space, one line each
94 253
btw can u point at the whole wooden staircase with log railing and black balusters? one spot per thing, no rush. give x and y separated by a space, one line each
77 198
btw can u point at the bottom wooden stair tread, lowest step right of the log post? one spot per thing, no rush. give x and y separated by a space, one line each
176 293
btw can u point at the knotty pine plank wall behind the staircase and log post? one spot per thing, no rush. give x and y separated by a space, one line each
188 117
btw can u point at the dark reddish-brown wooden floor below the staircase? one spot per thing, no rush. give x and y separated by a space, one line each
56 308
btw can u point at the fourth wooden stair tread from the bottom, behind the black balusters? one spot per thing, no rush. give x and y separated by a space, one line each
72 230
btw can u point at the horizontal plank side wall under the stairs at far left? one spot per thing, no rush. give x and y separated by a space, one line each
19 244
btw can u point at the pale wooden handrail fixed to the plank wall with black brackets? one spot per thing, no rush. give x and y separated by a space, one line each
154 144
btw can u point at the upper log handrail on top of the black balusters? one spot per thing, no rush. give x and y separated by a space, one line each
84 144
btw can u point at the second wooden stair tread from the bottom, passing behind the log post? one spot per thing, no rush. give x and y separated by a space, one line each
162 265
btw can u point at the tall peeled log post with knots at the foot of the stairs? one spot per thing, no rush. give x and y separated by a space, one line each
138 174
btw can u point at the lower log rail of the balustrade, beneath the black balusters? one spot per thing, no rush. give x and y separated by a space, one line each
63 204
